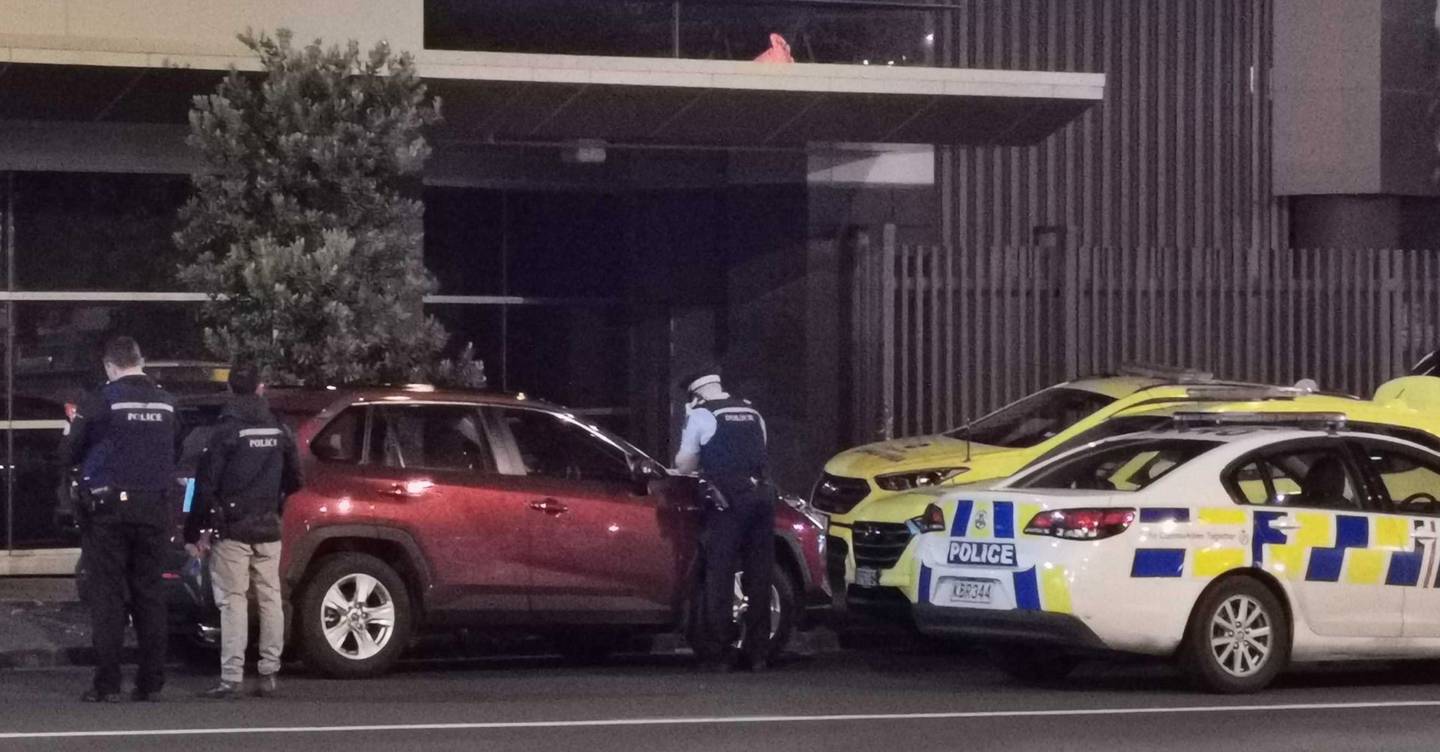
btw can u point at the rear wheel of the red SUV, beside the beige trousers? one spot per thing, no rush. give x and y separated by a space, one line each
355 617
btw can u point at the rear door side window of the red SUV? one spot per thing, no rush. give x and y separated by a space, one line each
430 437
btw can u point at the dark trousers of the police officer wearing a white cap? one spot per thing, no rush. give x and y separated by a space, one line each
741 538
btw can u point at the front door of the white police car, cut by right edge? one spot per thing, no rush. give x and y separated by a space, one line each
1408 483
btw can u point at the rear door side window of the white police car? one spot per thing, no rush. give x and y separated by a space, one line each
1315 478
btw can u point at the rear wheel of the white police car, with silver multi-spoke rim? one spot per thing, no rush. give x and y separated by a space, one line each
1239 637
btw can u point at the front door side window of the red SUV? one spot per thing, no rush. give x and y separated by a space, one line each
555 447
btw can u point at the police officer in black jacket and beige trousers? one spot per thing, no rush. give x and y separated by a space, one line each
248 469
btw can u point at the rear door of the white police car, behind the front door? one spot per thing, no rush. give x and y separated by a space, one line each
1323 534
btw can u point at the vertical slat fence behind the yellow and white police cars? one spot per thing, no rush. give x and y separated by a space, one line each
945 336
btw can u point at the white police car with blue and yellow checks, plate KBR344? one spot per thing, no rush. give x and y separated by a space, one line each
1235 548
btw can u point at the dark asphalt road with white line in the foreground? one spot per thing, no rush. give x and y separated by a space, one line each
894 701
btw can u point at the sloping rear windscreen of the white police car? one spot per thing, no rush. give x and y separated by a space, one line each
1130 466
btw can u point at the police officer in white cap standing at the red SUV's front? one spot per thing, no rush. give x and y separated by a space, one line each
725 442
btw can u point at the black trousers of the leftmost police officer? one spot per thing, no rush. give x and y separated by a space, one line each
126 563
